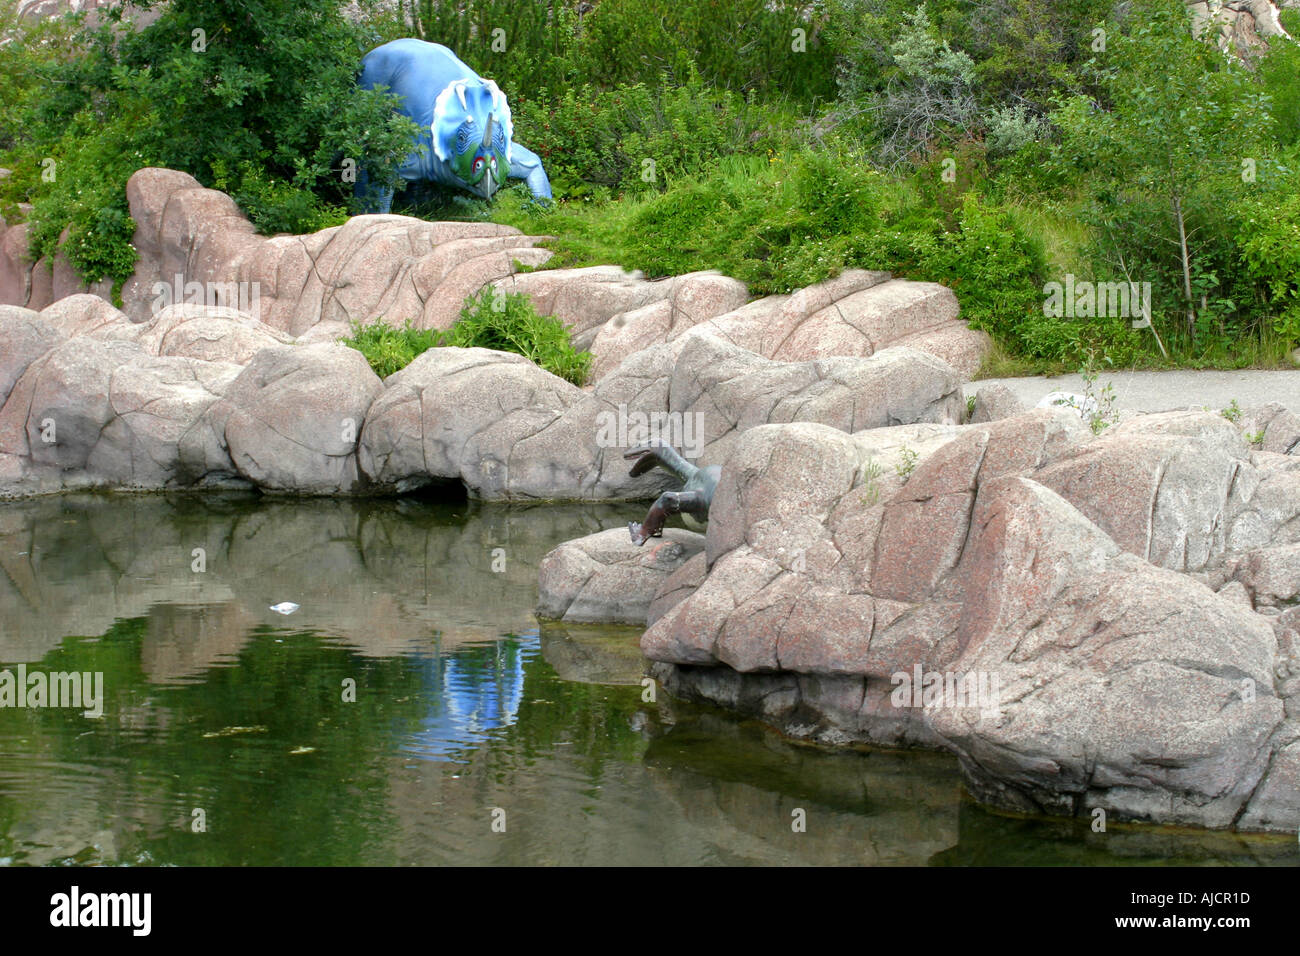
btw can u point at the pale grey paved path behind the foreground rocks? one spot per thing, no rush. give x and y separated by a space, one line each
1165 391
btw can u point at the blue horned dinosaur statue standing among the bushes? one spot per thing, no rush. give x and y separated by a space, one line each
466 131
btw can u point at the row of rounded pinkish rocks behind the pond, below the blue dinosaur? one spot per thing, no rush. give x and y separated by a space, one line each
170 393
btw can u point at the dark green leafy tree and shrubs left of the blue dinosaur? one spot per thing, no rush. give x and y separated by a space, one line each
266 106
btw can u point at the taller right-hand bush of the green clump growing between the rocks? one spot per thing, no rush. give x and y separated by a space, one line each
508 322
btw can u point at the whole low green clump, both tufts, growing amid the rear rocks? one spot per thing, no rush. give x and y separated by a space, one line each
505 322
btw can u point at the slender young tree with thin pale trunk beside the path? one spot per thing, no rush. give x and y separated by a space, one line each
1165 153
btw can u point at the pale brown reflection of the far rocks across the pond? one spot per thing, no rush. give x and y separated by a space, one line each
382 577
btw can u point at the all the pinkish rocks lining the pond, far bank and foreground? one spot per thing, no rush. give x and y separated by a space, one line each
1090 624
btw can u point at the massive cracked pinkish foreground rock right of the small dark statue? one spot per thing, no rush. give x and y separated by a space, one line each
965 605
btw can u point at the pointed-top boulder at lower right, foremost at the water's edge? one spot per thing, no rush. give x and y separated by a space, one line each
1121 686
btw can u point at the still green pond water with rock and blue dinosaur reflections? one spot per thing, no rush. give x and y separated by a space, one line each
467 713
